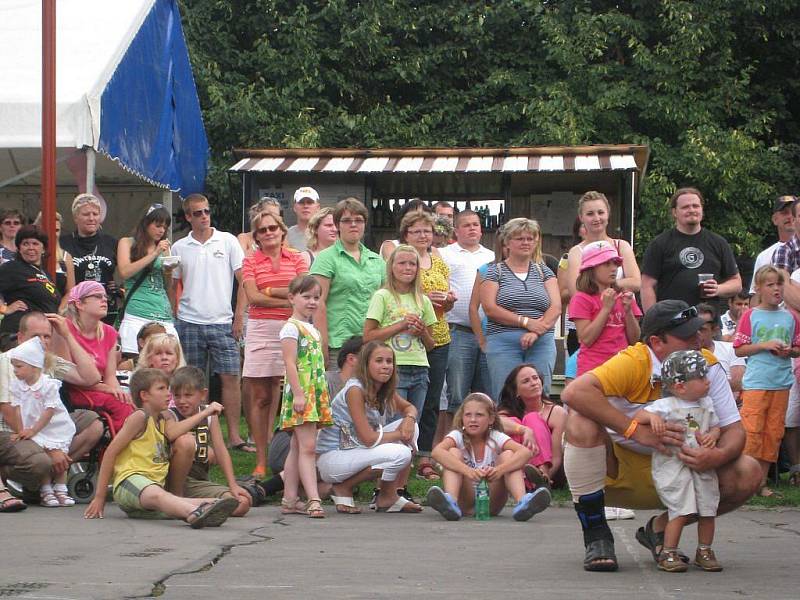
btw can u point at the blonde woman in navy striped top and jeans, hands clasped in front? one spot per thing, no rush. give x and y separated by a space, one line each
520 297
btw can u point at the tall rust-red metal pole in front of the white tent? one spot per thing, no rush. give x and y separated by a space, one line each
49 130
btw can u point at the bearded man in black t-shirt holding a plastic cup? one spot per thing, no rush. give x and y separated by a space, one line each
688 262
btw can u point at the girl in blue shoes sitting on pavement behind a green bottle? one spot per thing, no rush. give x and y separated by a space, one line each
478 449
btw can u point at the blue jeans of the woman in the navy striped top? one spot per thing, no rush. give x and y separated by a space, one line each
505 353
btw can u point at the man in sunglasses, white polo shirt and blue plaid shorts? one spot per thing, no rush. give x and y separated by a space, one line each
210 260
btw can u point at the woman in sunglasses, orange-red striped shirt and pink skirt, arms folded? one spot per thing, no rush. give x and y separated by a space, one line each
265 277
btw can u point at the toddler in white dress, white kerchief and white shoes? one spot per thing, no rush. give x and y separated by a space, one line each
43 418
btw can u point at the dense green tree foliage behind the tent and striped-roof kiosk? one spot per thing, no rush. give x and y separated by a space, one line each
709 85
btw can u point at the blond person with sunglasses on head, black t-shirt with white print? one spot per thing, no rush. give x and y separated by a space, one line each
94 253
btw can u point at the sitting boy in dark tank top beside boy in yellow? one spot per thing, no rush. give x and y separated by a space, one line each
190 393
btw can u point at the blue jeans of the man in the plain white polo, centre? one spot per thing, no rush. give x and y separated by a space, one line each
467 370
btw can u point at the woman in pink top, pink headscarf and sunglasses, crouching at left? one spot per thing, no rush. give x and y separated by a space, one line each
87 306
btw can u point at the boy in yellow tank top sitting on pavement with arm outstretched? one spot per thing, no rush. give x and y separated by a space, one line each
138 459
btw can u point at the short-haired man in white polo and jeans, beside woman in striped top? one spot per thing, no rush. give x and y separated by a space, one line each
466 367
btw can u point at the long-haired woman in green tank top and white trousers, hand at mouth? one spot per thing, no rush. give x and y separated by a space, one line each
148 281
